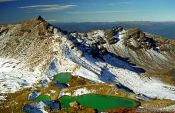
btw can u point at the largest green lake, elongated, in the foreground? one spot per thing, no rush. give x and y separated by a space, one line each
99 102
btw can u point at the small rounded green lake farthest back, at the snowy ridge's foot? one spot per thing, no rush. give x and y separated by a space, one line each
63 77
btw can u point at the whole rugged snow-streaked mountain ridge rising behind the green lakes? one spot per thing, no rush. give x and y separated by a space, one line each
34 51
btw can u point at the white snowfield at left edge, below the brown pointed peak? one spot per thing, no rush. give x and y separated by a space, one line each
14 77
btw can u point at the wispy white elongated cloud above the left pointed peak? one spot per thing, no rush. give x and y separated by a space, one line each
47 8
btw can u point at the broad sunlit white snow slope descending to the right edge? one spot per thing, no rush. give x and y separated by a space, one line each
148 86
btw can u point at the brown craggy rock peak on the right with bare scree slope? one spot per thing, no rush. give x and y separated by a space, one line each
151 52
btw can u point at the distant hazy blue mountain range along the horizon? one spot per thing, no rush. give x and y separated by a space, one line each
165 29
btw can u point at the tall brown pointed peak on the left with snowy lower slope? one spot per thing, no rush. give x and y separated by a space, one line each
29 53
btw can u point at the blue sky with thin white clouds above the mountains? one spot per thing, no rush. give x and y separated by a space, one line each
87 10
